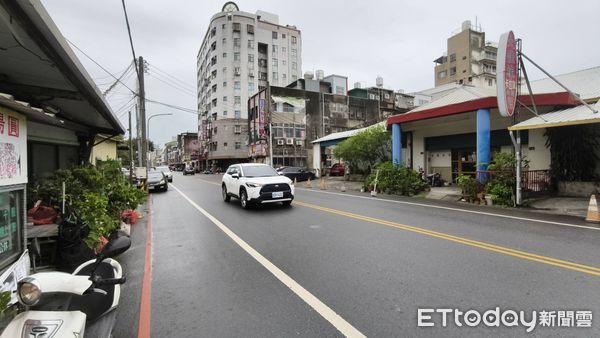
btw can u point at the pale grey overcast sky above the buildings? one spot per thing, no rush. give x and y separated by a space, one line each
360 39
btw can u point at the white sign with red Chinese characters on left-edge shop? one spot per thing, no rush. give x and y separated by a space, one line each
13 148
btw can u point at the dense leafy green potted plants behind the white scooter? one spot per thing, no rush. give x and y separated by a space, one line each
95 198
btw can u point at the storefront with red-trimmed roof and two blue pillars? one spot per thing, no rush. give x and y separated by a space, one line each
446 136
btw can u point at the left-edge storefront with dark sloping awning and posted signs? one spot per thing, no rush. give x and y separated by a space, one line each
51 113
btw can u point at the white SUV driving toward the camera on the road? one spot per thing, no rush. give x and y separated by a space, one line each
255 183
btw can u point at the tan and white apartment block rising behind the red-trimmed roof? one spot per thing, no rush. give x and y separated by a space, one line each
469 59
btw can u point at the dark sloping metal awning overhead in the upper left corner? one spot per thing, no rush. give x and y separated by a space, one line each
38 66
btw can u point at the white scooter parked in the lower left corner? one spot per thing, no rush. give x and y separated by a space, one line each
59 304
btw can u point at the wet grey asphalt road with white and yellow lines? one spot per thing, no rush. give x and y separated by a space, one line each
335 264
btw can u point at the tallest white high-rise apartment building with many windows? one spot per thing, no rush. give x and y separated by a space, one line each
241 54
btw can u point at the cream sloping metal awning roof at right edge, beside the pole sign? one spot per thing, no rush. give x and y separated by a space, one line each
566 117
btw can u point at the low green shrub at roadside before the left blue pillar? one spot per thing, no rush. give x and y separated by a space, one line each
396 180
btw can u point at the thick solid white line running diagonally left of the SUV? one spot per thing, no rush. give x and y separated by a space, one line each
325 311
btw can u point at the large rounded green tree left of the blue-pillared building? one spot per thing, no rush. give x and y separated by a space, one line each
364 150
